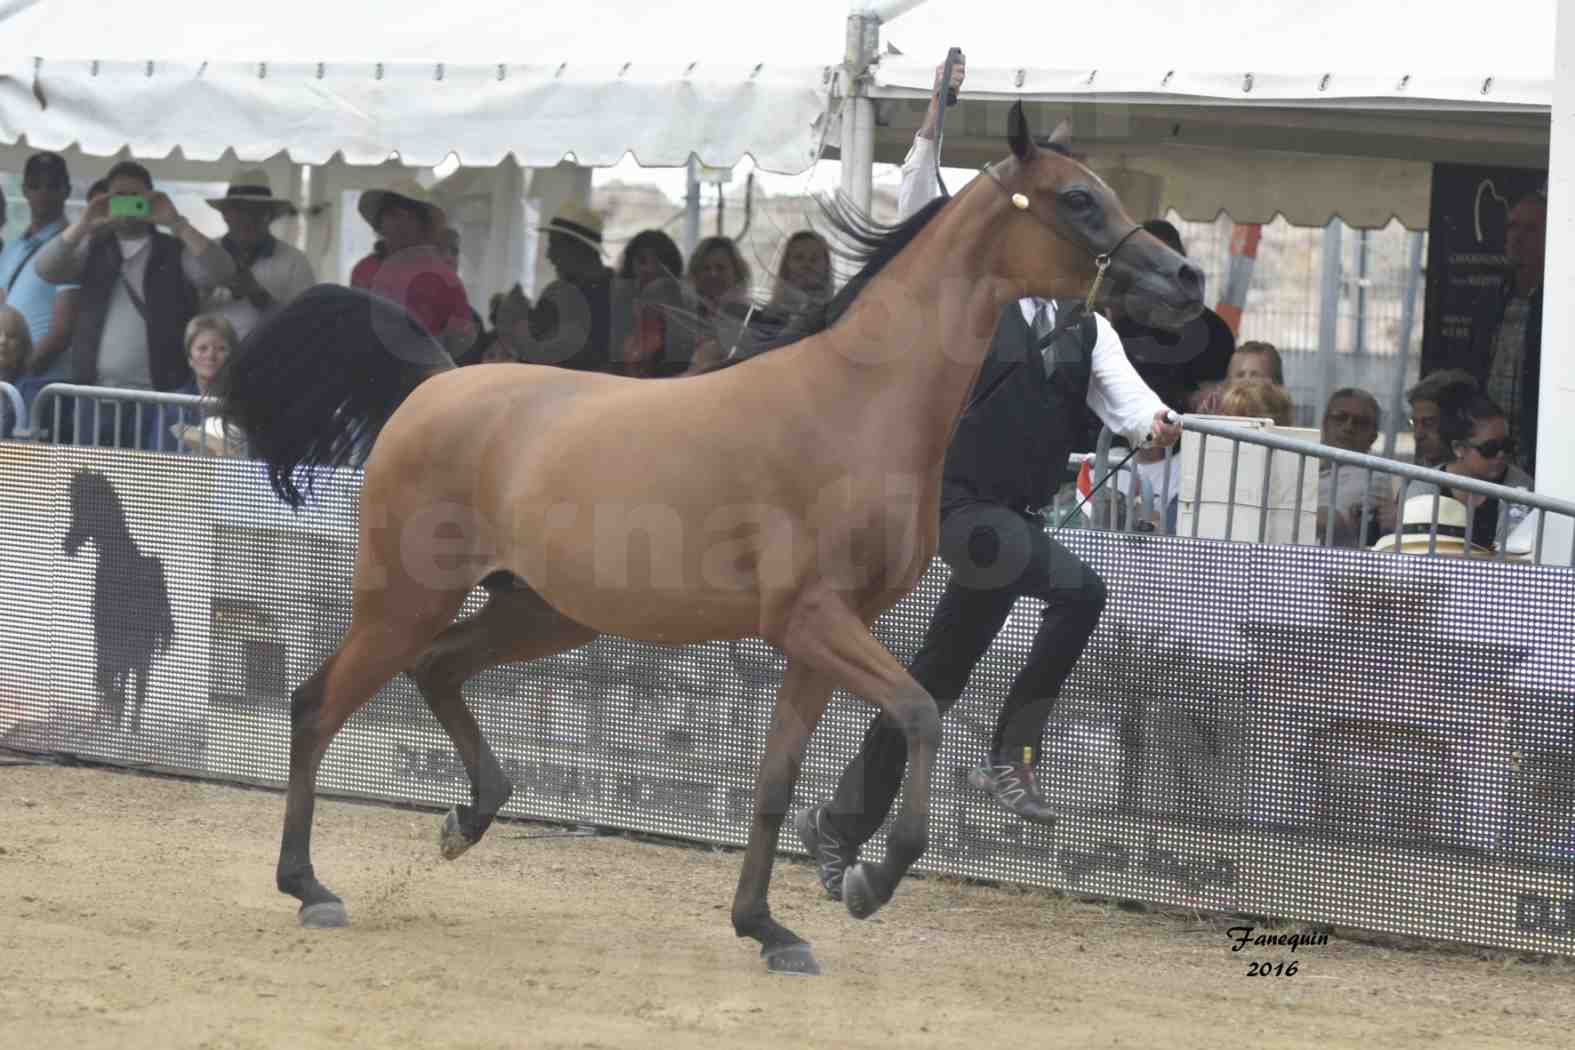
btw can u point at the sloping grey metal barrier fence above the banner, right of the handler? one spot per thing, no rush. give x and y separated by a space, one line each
1136 505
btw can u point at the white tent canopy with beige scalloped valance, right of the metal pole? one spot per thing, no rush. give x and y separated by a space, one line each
1242 106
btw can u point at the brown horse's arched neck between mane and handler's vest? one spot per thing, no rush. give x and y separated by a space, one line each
914 341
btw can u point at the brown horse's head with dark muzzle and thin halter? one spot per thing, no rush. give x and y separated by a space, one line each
1073 229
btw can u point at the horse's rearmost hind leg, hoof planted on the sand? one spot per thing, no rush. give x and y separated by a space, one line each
384 640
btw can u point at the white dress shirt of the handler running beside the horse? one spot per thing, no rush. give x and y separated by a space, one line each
1116 393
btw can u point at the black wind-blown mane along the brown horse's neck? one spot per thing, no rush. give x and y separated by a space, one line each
869 245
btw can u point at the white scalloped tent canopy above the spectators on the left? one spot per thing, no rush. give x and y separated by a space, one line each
484 79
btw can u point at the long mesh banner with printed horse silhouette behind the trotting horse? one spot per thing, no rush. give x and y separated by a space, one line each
1324 736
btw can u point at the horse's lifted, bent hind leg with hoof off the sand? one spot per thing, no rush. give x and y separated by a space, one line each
513 627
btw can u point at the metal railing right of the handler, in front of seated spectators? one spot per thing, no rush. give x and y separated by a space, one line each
1132 508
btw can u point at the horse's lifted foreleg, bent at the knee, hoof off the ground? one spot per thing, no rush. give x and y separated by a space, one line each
826 634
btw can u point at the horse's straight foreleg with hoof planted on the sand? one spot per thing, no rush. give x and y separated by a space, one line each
801 701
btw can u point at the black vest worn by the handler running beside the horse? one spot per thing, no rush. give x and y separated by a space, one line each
1021 424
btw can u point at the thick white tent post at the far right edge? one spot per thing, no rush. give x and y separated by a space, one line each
1557 396
